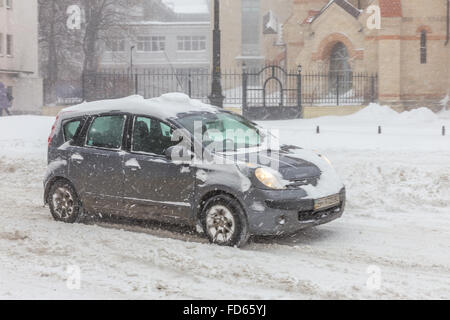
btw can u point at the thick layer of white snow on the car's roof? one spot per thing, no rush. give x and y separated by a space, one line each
167 106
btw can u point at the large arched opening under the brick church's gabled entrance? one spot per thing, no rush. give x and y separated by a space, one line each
341 75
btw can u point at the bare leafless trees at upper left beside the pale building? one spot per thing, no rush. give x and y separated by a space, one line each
79 50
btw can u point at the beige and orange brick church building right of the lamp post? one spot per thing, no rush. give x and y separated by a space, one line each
407 44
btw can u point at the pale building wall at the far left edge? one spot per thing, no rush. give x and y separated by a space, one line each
19 54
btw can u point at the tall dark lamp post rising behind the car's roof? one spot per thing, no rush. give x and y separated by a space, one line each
216 98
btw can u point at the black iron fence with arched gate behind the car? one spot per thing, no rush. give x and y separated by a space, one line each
270 86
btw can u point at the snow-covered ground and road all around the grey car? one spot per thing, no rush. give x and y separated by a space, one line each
396 228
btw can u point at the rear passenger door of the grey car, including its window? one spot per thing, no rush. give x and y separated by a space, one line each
96 163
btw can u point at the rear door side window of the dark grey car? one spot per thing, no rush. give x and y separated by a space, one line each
106 132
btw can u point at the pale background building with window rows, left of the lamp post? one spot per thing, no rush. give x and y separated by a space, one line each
174 41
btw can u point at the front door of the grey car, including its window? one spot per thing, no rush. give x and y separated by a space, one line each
155 187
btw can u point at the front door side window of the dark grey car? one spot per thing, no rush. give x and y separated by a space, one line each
151 136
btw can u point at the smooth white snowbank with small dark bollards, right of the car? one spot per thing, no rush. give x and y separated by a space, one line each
417 130
